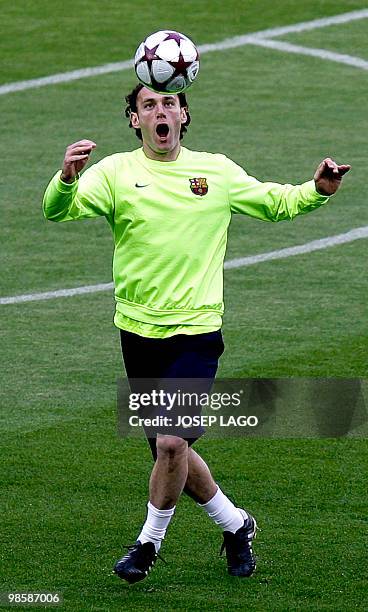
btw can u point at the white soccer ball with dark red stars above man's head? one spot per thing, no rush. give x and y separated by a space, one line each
167 62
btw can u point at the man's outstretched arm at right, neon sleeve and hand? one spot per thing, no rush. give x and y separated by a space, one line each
276 202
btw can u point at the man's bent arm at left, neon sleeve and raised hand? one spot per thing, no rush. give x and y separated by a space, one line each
69 197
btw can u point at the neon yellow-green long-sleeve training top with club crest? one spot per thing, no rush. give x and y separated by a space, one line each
169 221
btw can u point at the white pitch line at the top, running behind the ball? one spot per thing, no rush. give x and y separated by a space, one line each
228 43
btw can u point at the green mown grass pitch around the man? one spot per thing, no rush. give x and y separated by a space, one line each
73 492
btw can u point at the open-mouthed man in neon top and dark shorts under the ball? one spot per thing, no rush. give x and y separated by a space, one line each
169 209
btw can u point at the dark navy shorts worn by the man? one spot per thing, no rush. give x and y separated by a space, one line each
155 362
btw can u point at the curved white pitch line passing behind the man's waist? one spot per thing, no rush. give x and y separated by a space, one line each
309 247
